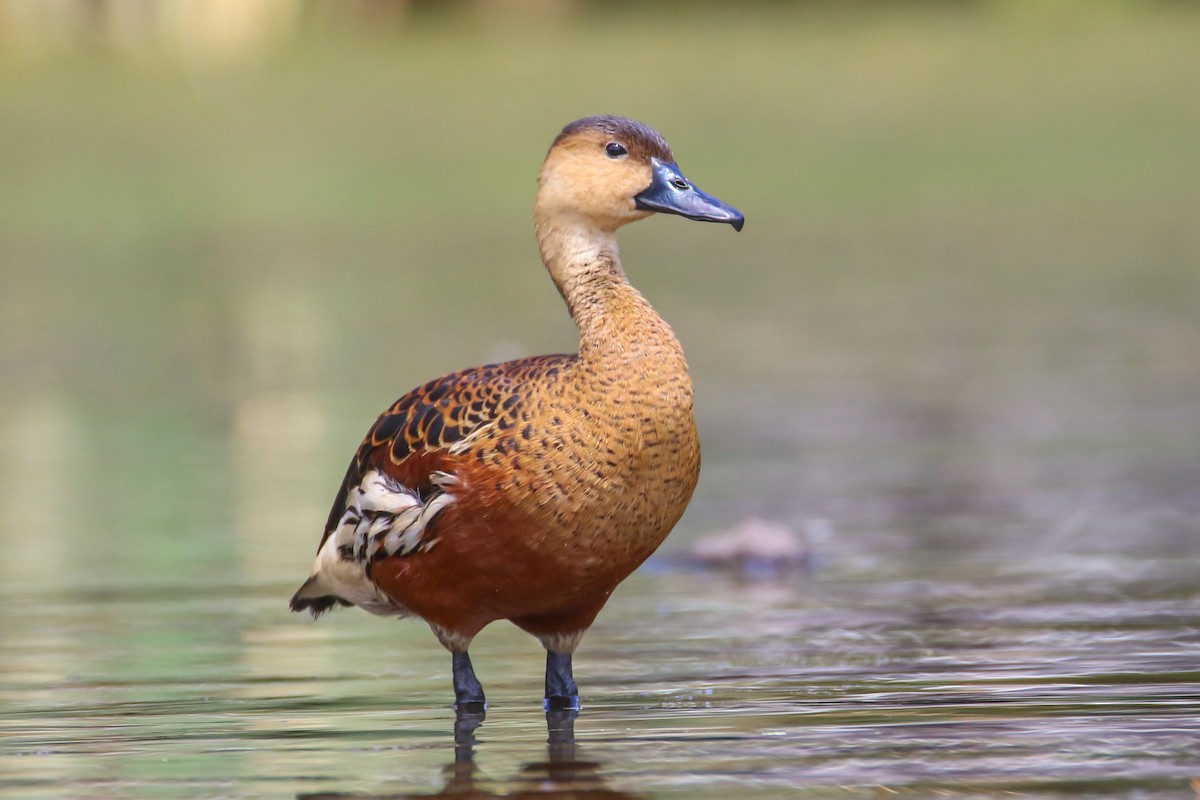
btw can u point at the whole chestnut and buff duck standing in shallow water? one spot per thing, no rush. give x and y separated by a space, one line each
529 490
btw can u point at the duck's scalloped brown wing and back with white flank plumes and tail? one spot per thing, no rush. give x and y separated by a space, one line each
400 478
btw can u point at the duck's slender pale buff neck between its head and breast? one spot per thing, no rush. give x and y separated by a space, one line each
614 320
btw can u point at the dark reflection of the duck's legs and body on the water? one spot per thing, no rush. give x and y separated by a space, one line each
562 775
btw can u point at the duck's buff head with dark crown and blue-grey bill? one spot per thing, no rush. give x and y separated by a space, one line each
611 171
